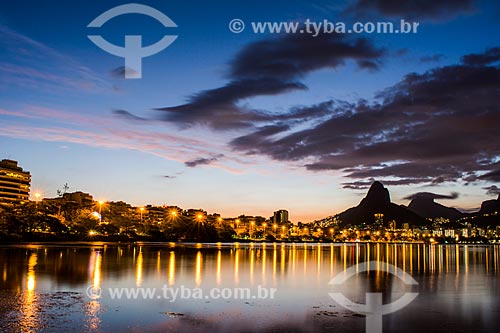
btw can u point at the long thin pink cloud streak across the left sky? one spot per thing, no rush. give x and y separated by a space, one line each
71 126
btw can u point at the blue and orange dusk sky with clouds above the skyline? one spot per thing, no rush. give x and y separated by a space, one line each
249 123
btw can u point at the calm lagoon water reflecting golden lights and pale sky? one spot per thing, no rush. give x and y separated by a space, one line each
66 287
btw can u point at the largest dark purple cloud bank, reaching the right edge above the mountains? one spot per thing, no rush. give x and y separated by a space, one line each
439 126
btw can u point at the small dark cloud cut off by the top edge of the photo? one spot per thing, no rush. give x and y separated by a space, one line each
433 10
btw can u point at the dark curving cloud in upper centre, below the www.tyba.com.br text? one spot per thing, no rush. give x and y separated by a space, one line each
270 67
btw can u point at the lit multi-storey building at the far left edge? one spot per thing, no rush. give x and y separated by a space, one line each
14 183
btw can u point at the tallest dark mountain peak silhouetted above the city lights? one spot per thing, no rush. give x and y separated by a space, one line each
378 201
